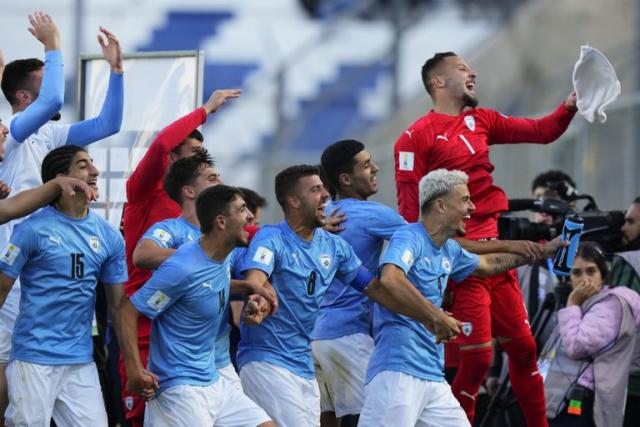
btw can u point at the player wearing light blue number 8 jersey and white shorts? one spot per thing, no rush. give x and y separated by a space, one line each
301 260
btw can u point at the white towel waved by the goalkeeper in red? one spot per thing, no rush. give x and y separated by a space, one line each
595 83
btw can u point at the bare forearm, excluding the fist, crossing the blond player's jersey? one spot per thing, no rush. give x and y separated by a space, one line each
394 292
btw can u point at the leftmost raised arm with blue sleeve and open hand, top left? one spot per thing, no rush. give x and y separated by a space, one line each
51 95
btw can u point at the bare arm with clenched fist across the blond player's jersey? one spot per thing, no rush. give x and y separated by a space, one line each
394 292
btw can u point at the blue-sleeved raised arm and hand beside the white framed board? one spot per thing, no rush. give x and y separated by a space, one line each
109 121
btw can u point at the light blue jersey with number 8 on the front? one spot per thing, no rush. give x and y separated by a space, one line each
301 272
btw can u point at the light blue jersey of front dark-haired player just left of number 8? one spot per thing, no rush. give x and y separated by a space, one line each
186 299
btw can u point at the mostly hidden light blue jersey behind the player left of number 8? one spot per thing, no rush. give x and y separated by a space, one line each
171 234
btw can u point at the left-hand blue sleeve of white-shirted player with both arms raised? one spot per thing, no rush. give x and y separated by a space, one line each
49 101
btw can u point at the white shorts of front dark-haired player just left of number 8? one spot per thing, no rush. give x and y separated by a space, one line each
220 404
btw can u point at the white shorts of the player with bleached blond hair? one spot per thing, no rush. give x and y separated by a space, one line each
395 399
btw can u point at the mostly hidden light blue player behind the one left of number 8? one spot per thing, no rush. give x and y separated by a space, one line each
185 180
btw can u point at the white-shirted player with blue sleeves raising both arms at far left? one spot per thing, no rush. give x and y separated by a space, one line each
35 91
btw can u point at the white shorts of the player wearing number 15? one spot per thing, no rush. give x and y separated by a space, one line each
71 394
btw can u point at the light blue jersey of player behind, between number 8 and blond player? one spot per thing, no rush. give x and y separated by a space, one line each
344 310
